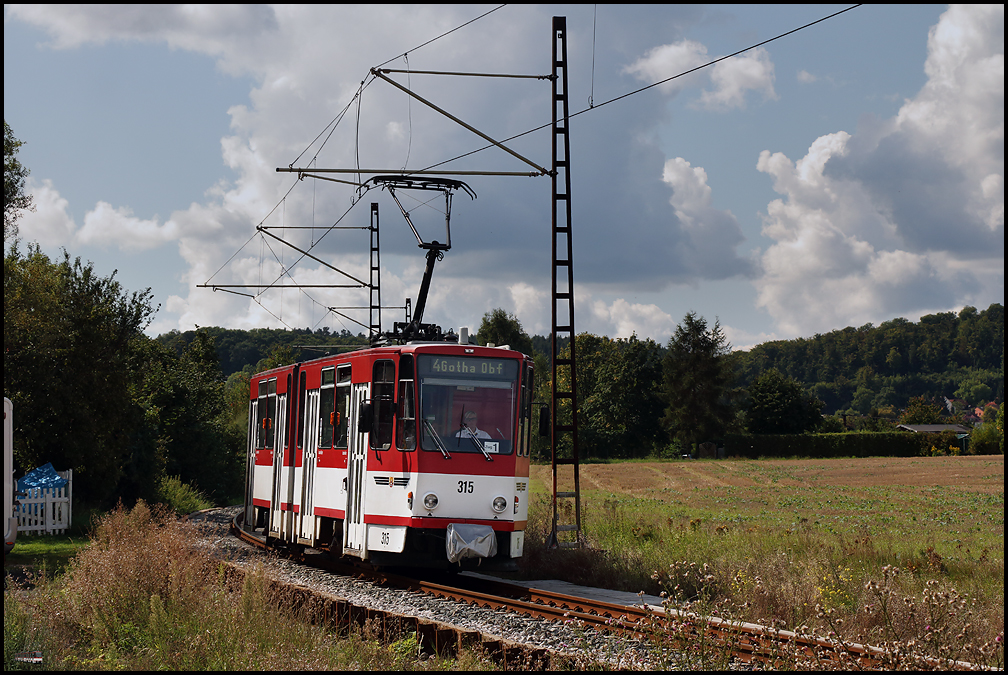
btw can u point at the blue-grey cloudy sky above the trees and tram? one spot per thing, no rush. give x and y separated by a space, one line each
848 174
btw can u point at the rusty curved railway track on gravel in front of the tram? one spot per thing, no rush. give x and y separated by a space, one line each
747 643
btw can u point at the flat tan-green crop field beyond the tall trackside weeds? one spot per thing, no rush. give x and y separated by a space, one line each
953 504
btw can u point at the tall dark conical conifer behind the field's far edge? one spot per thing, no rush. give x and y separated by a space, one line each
699 381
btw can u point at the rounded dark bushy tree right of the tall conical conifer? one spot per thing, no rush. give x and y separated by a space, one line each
779 404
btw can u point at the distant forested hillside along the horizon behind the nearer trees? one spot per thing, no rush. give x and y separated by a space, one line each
858 371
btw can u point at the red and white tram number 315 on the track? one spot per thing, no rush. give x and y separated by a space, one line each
411 455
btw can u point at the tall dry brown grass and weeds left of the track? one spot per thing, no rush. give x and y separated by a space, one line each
142 597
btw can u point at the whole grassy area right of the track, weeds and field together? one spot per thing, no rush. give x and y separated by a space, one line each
795 543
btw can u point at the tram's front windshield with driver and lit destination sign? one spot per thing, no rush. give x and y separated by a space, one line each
467 403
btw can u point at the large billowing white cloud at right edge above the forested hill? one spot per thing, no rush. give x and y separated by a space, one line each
906 216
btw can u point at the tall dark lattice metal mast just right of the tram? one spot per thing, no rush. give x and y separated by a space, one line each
565 396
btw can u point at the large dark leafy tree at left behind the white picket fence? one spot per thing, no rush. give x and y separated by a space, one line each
70 342
